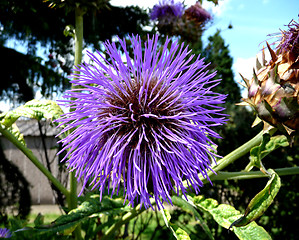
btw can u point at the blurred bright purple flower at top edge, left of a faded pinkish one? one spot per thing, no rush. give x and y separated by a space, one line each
167 8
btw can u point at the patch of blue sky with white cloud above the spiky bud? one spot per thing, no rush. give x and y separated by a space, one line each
252 21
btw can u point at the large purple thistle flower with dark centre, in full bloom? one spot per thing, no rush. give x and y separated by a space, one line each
143 123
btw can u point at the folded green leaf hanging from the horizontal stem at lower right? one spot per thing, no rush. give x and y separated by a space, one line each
260 203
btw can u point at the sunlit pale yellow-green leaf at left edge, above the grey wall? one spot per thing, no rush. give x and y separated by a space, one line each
36 109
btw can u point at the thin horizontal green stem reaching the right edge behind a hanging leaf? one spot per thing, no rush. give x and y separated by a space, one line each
253 174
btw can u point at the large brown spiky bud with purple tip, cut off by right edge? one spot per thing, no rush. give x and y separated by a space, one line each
273 90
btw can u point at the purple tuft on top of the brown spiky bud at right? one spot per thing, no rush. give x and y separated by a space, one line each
290 39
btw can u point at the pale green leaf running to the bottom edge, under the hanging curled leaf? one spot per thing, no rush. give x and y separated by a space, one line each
225 215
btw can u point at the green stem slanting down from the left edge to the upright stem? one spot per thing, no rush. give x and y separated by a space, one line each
8 135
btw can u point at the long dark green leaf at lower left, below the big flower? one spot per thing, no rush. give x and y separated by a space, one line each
66 224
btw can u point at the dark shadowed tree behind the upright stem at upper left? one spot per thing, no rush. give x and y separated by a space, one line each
35 23
